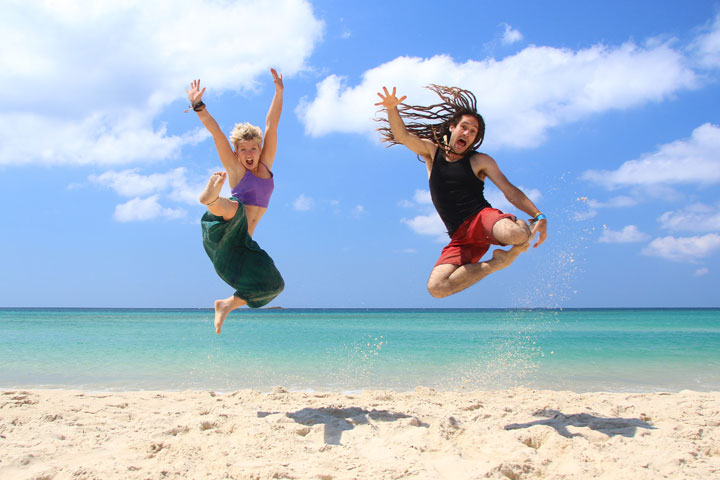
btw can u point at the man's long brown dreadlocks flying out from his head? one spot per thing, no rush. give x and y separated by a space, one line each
433 122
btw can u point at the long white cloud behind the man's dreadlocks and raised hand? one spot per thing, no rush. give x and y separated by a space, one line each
520 96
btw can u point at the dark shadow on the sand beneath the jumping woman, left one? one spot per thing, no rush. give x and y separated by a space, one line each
338 420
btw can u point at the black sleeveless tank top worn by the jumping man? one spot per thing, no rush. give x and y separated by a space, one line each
456 191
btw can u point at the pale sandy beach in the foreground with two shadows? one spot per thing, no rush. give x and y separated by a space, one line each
424 434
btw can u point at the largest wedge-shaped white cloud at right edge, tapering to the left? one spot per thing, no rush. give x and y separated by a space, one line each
692 161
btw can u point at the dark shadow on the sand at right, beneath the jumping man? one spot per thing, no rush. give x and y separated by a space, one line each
627 427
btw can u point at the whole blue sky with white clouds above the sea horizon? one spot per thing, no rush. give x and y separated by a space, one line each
604 113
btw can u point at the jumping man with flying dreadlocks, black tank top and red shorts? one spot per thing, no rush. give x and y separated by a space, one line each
445 136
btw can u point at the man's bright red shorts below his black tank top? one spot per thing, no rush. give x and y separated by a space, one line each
473 238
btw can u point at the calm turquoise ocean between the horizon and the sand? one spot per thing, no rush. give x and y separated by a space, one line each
638 350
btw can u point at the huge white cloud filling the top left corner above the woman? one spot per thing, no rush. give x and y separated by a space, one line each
89 78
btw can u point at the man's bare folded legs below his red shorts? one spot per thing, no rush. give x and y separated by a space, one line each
447 279
